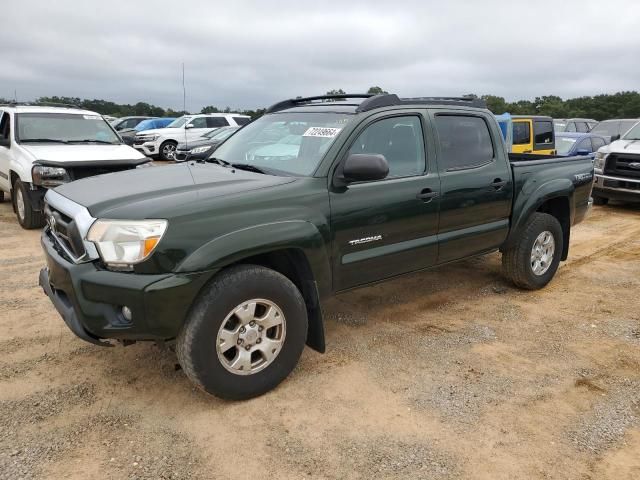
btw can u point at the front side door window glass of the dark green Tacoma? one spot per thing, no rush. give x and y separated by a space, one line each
401 142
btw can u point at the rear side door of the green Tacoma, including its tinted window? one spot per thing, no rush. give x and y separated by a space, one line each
475 183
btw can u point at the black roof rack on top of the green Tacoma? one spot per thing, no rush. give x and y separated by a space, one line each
371 102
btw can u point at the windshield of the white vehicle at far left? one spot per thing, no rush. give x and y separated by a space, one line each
63 128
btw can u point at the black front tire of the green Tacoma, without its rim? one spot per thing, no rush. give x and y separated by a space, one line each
196 343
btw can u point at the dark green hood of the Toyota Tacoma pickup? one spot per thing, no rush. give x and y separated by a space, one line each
155 192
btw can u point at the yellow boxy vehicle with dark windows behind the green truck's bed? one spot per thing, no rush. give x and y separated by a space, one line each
533 134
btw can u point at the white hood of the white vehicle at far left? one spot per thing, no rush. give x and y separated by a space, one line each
81 153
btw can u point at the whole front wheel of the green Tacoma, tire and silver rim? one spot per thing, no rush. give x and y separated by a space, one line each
244 334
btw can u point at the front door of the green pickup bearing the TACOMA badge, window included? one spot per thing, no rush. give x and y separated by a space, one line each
386 227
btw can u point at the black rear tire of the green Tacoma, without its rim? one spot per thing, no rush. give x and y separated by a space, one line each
516 261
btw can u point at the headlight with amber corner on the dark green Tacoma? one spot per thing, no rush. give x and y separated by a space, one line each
123 243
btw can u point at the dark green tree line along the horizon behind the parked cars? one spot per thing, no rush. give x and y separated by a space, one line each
599 107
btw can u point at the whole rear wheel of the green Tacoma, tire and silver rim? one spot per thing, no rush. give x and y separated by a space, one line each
534 259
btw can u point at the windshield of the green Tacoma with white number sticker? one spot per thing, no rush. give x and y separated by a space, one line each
290 142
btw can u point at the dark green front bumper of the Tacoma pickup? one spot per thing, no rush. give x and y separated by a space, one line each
90 299
